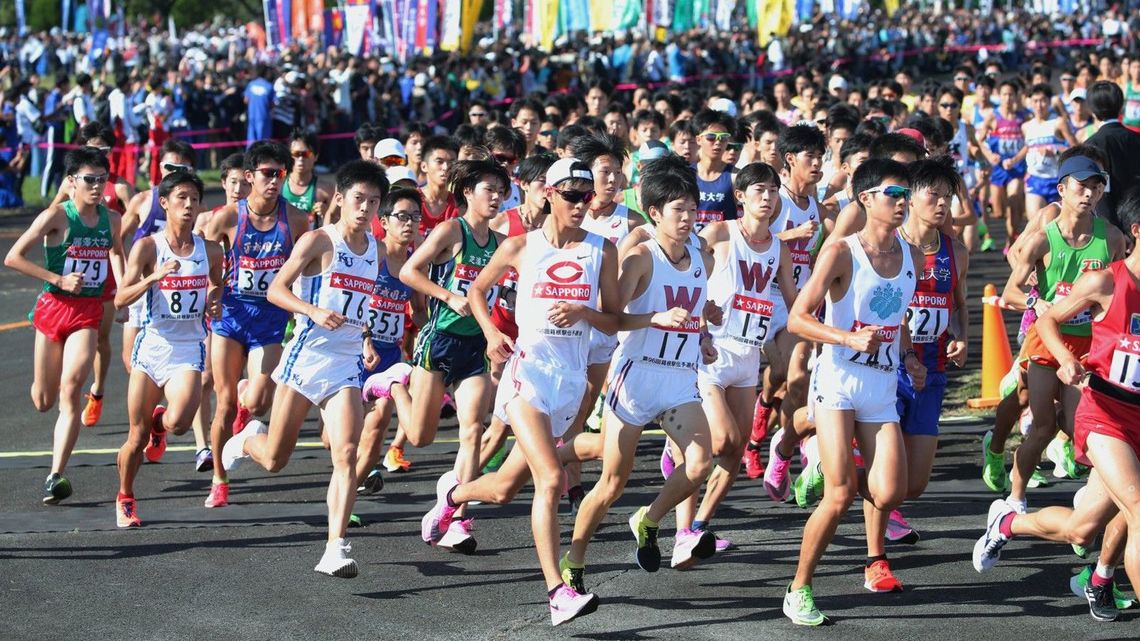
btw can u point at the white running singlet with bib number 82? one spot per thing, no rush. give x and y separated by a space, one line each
176 306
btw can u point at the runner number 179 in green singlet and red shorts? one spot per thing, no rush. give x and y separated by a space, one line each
82 246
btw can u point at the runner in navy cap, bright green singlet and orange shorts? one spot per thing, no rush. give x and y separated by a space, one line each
1077 242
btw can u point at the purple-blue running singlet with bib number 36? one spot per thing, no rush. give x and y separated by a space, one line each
257 257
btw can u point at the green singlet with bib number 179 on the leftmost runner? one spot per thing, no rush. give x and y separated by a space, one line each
85 250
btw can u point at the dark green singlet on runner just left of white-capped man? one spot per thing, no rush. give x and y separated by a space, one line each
457 277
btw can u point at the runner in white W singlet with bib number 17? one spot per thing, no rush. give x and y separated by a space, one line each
663 289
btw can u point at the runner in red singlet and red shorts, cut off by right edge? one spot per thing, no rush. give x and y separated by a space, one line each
1108 420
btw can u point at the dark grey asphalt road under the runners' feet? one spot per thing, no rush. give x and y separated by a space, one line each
246 571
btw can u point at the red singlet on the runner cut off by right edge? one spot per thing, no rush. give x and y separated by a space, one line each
1115 352
